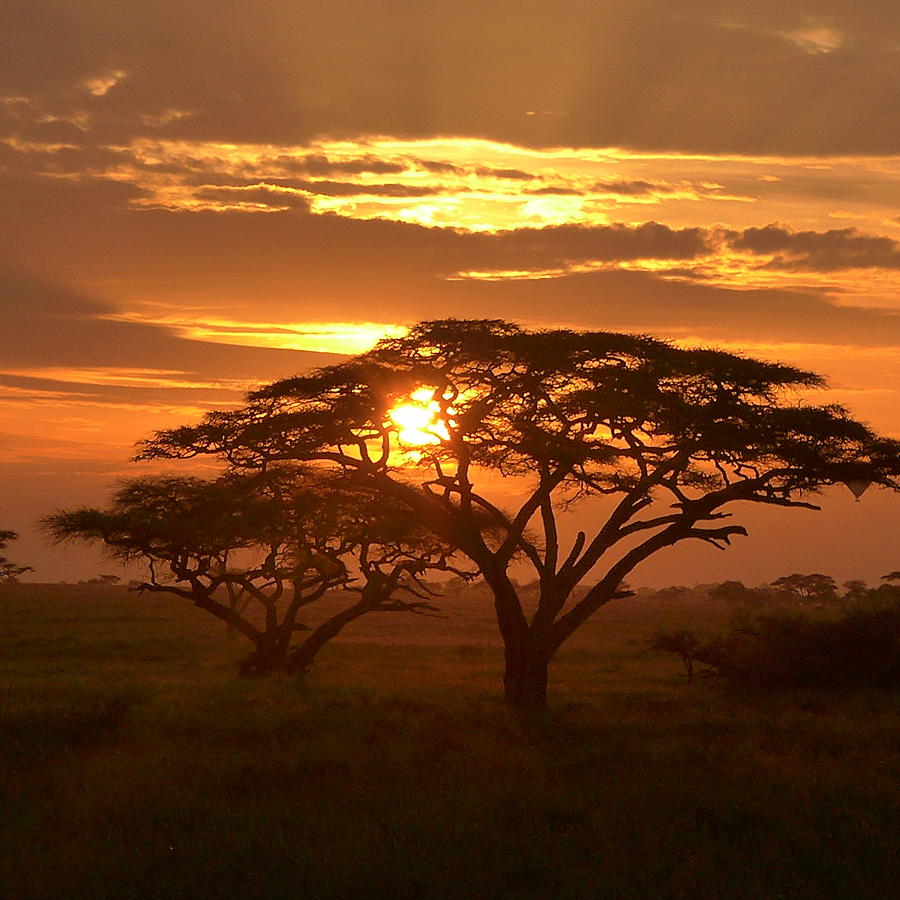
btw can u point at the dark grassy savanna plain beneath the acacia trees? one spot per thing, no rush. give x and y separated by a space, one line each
135 764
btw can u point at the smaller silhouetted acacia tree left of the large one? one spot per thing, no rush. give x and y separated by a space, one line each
256 550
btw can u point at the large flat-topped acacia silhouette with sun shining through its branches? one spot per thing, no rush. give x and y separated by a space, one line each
668 436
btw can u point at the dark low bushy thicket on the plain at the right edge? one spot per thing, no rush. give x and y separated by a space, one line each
788 650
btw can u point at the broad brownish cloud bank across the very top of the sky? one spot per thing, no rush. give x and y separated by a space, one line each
793 77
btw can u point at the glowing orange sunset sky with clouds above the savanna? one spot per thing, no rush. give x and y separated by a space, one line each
197 199
